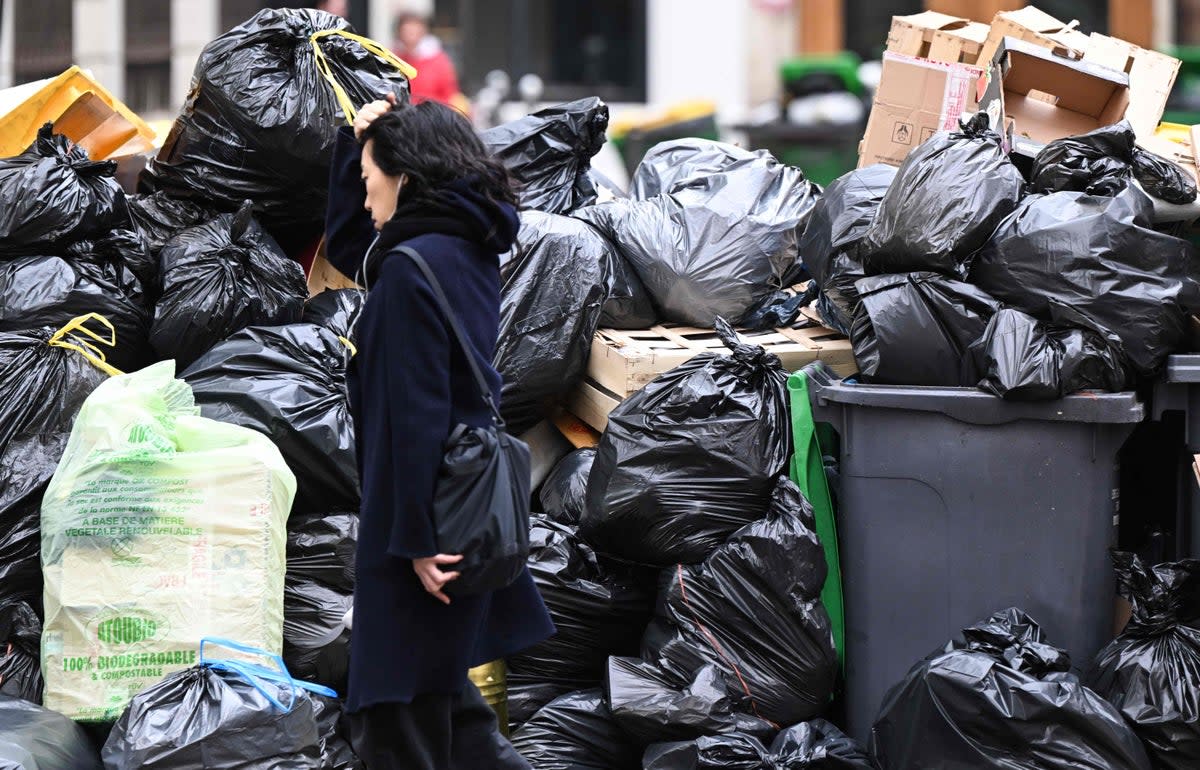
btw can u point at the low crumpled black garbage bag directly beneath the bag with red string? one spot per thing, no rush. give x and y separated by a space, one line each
652 708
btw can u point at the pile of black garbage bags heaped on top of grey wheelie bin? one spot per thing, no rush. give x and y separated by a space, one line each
961 272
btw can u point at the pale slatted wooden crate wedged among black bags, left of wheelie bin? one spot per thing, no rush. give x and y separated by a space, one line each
623 363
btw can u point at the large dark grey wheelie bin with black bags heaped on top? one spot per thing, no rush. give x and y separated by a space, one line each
956 504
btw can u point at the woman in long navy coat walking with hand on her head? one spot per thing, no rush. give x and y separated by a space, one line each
418 177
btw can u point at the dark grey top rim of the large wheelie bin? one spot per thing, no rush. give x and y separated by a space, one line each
974 406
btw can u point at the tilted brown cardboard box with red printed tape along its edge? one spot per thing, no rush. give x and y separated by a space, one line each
916 100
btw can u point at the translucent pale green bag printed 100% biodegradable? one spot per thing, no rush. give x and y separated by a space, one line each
159 528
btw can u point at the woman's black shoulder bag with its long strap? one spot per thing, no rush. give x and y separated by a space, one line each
482 500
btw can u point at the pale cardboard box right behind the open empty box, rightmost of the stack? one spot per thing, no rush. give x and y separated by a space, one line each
1151 79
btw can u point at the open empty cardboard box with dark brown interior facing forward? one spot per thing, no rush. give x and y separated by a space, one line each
1048 97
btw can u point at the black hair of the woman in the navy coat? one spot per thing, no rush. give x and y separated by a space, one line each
435 146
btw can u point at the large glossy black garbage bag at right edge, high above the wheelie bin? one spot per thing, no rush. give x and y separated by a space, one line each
1100 258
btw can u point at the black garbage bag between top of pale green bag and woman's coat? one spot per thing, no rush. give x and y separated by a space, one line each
289 383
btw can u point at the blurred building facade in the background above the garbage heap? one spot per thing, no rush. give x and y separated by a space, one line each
628 52
